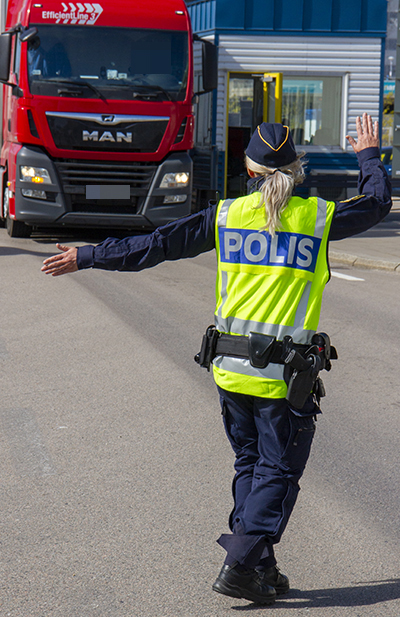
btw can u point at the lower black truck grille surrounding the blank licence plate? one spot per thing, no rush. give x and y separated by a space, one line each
75 175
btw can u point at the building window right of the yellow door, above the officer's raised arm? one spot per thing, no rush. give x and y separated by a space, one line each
311 107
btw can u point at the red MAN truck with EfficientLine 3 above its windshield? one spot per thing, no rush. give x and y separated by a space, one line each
97 113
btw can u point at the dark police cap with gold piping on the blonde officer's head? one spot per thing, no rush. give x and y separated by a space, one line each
271 145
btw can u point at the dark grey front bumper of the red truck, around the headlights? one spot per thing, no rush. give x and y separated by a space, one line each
68 200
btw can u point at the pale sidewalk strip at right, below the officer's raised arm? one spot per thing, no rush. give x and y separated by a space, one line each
377 248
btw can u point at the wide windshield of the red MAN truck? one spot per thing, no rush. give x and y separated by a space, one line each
111 63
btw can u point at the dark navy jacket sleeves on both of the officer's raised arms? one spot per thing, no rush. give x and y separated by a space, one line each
195 234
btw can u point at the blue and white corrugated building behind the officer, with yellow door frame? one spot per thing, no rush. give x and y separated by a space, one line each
313 64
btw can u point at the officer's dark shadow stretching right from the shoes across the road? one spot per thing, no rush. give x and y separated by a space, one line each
361 594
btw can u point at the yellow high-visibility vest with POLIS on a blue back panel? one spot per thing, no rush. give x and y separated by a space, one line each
271 285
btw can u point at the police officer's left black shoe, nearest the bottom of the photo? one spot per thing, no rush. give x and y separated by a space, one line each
237 583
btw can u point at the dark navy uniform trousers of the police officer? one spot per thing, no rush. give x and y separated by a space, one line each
271 441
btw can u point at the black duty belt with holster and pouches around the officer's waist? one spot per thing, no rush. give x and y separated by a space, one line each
305 361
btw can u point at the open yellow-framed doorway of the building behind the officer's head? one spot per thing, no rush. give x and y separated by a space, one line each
252 98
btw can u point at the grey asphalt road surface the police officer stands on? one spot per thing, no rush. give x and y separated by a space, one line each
115 472
